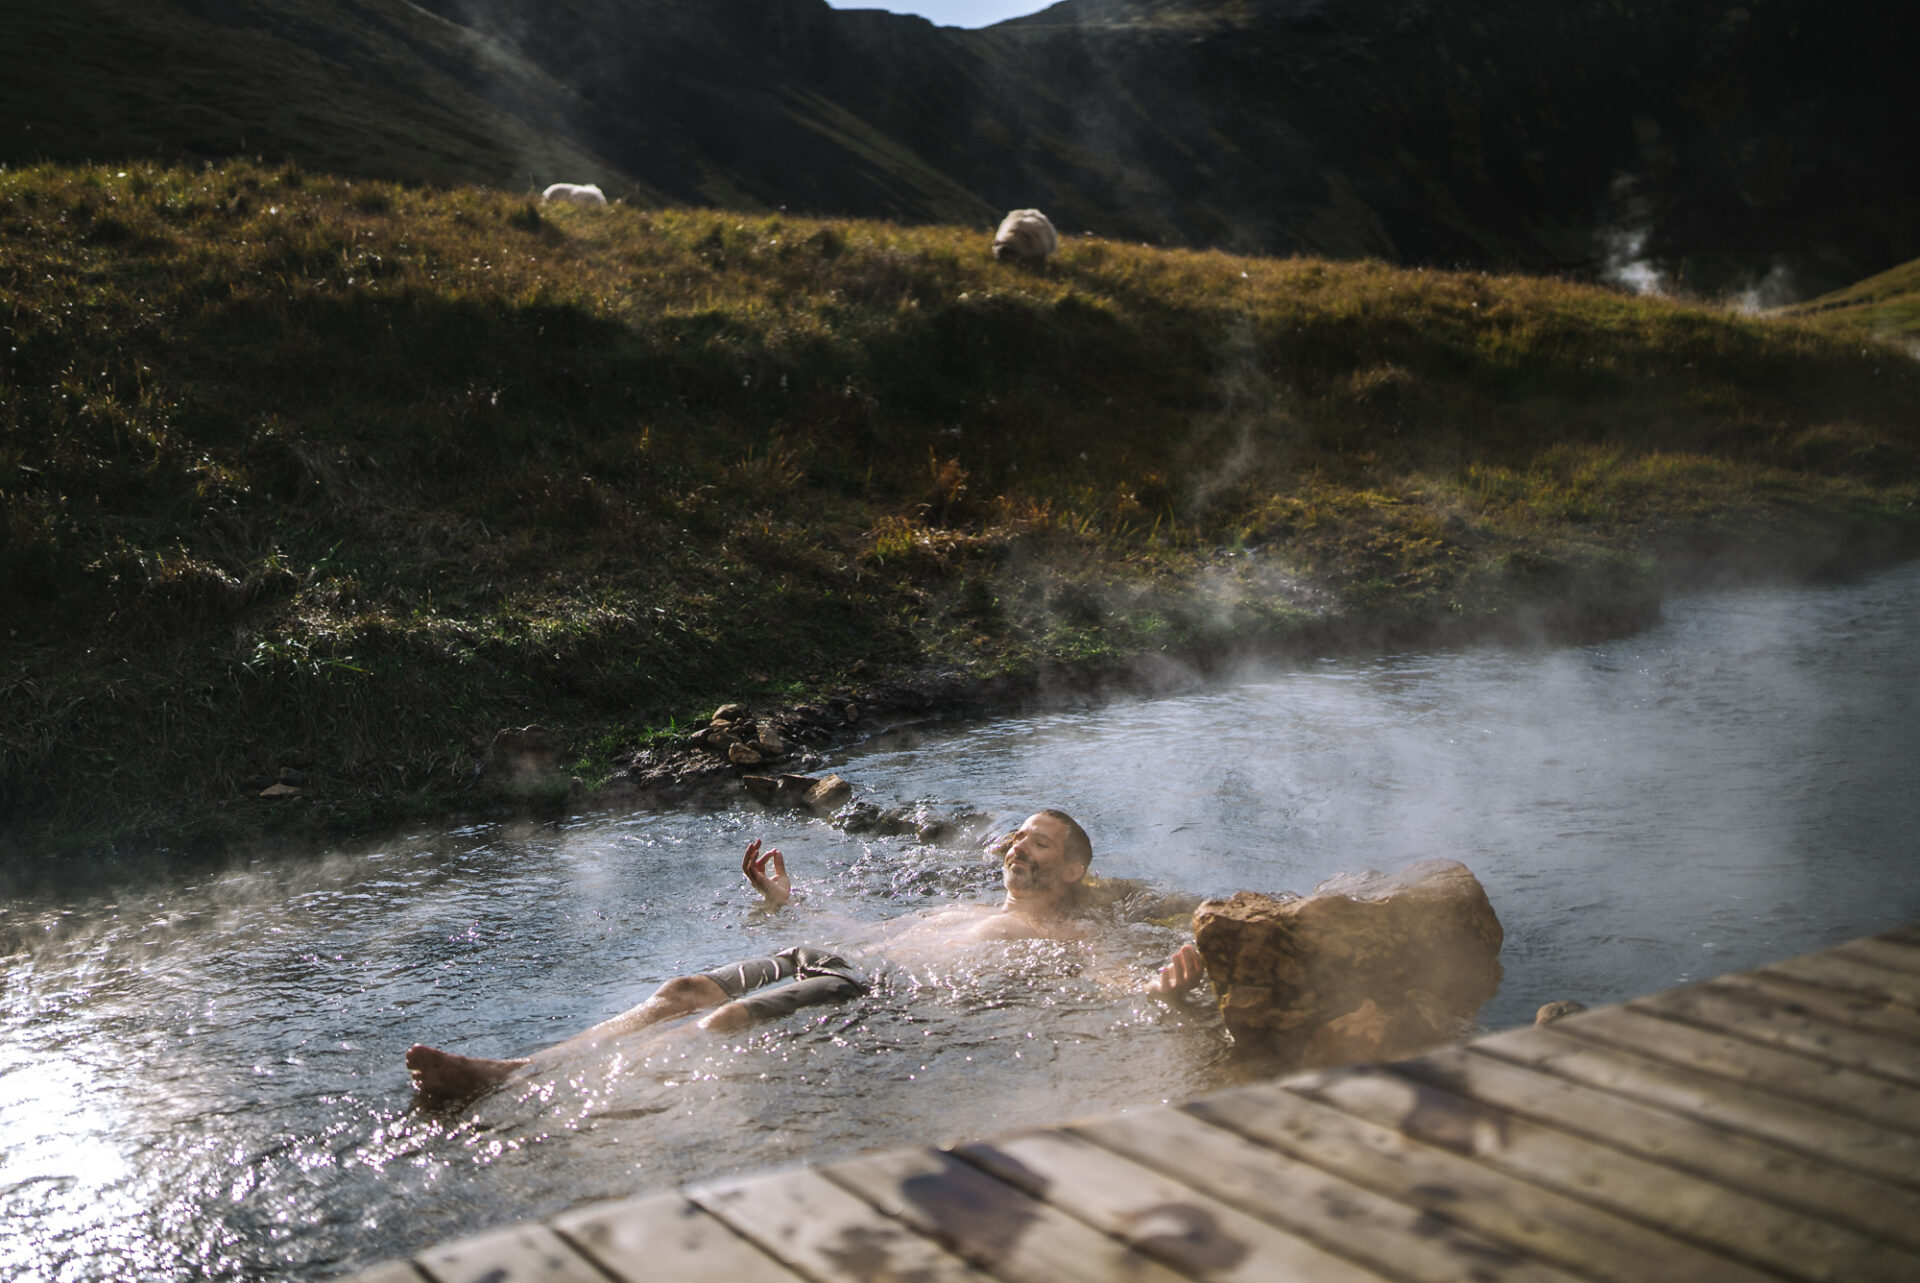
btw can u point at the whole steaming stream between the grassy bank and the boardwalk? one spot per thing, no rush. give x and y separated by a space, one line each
201 1073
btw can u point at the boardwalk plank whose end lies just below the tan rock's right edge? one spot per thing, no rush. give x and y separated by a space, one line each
1729 1159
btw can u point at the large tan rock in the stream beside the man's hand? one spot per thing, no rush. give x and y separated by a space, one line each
1370 967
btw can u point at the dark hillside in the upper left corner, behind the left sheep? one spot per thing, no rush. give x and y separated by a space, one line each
360 87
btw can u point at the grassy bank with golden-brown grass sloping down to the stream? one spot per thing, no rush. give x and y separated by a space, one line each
345 477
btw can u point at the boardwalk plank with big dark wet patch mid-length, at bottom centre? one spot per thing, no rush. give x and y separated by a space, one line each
990 1222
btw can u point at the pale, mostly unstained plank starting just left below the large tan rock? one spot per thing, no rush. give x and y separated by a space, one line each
1374 1230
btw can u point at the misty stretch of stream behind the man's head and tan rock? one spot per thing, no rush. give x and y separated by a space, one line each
1643 813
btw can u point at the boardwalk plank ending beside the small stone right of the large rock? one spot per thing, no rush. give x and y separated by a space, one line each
1821 1134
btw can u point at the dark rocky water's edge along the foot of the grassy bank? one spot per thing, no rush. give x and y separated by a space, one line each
777 752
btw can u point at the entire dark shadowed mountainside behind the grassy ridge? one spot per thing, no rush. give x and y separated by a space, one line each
1710 141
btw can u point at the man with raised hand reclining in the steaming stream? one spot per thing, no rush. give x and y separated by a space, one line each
1042 865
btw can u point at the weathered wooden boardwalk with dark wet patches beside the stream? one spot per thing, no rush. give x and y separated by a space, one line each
1752 1128
